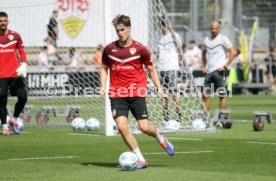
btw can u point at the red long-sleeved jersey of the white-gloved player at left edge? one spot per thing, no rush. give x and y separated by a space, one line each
10 44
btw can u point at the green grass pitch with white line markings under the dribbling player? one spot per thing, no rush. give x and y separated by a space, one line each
61 154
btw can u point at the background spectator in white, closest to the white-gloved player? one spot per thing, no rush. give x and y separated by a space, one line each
43 61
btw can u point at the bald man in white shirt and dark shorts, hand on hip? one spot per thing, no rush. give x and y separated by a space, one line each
215 63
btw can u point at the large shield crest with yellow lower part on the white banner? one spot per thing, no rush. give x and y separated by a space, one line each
73 15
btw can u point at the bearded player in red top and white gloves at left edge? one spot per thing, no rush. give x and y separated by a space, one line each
12 74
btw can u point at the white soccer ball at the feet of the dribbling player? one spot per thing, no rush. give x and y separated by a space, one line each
128 161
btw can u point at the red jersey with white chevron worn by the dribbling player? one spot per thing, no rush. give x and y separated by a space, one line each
127 75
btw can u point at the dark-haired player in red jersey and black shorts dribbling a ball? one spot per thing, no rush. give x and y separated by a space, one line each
126 58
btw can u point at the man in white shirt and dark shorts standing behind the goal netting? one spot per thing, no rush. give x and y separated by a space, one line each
168 61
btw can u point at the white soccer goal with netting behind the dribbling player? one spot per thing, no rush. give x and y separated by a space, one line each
63 83
